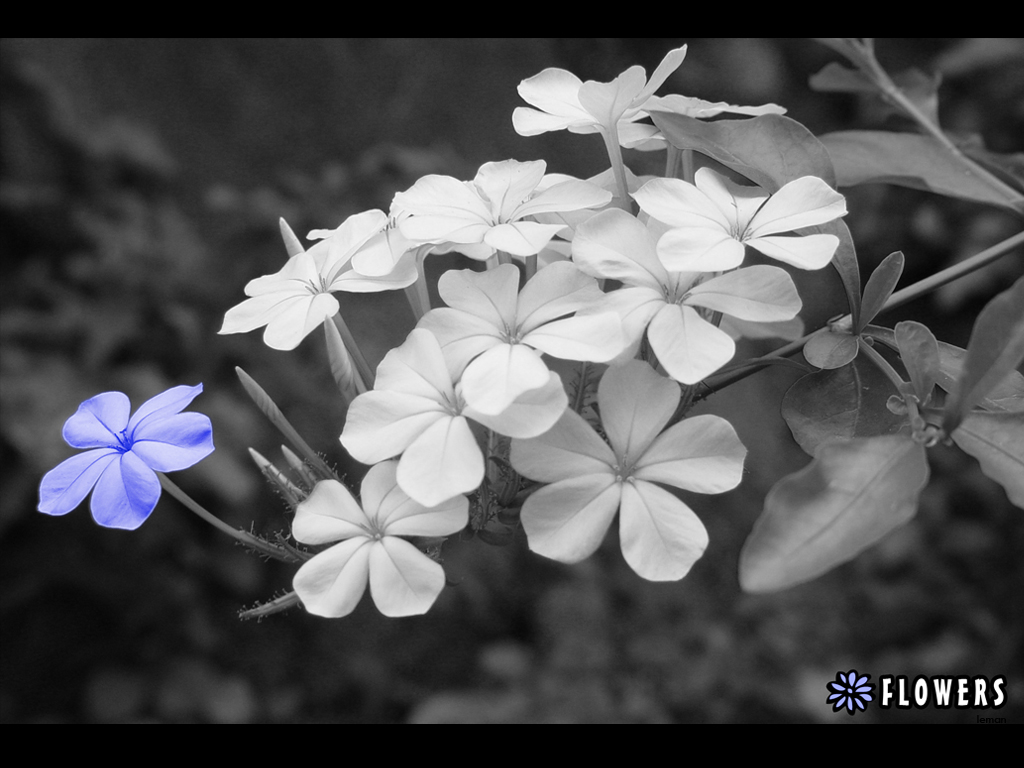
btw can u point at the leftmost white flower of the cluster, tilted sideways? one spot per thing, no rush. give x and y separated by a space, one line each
295 301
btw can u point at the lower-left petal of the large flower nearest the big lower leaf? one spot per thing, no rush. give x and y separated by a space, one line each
568 522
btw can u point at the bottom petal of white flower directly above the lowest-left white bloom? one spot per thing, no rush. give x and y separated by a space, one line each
442 463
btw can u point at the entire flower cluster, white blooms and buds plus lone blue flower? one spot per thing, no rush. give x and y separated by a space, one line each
490 401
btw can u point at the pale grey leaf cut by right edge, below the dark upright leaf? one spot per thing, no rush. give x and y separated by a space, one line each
997 441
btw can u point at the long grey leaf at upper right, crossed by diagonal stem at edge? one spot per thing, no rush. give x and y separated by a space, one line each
916 161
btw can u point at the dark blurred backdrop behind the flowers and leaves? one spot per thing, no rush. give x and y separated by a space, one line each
141 186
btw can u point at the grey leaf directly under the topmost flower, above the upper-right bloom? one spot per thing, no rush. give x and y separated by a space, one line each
770 150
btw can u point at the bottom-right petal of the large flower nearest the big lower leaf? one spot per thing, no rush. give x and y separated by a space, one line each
661 536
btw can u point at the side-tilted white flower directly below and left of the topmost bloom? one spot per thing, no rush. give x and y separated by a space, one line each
495 212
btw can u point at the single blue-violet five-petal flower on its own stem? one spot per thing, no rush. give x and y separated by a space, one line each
126 454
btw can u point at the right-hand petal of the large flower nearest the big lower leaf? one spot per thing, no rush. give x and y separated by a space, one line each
701 454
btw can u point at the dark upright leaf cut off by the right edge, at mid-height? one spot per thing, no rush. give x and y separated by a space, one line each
997 348
